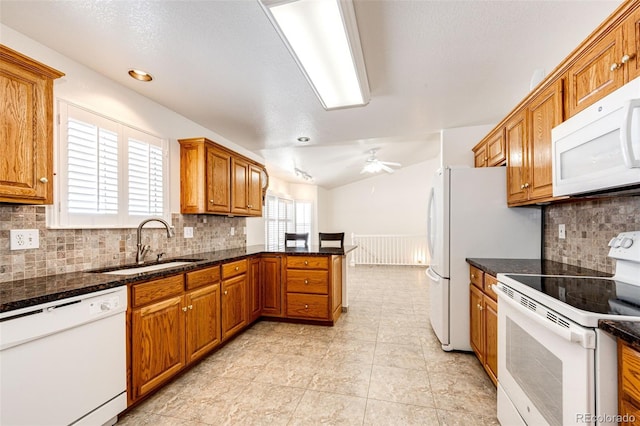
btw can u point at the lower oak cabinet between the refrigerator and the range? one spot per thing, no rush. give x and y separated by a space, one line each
483 314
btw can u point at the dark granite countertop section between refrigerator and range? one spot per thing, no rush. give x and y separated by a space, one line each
531 266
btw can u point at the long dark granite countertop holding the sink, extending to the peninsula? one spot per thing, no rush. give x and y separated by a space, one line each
34 291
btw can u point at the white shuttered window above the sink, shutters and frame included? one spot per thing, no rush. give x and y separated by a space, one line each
108 174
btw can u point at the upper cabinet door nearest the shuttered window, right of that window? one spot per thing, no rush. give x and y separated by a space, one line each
218 172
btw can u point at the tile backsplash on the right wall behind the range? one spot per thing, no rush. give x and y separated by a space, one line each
590 224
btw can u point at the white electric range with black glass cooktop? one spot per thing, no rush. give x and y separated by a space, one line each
555 366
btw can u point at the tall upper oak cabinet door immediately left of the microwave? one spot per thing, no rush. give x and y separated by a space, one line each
544 113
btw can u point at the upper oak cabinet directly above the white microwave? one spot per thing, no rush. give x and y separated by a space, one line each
606 64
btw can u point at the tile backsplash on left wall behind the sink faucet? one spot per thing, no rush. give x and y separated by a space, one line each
70 250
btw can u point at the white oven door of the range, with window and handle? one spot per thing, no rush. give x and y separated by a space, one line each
545 370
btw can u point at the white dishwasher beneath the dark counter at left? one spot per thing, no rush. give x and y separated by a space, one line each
64 362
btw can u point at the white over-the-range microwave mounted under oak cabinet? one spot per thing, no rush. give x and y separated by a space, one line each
598 149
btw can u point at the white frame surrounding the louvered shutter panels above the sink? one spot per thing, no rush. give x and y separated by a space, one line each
58 215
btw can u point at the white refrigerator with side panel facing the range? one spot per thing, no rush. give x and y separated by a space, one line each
468 217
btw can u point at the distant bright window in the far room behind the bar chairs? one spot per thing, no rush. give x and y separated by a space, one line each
285 215
